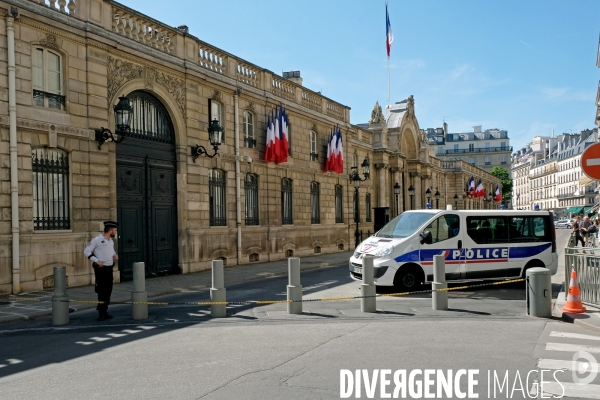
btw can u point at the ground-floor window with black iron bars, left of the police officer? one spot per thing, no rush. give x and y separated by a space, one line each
51 208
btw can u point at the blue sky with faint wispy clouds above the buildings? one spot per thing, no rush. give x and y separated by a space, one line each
524 66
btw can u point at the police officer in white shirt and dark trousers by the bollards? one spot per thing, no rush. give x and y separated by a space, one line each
101 251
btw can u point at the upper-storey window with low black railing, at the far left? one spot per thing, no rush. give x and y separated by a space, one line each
47 79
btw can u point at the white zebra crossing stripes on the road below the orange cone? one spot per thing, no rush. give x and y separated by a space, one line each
566 348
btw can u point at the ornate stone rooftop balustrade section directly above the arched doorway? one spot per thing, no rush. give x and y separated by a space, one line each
143 29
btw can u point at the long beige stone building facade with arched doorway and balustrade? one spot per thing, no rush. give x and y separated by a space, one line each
62 71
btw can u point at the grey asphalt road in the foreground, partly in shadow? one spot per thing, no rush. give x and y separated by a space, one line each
260 352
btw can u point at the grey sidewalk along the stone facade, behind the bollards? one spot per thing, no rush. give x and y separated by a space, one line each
24 310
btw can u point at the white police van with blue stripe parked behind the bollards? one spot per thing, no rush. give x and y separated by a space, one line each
476 244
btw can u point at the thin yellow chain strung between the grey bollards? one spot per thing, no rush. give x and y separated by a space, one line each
267 302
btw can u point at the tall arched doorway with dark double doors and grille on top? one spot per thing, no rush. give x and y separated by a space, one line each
146 190
